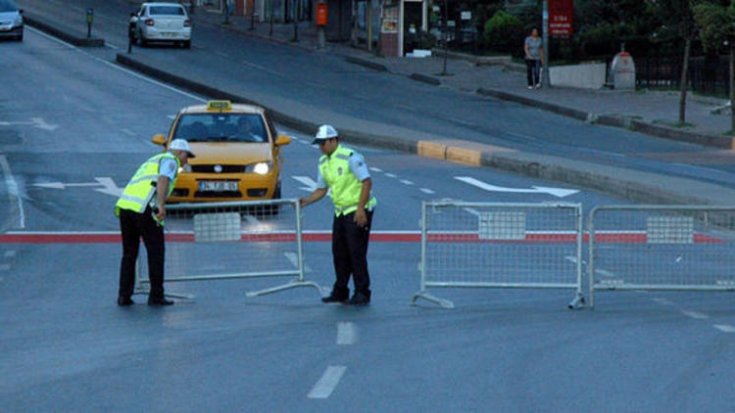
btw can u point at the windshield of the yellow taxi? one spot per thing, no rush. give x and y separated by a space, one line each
221 127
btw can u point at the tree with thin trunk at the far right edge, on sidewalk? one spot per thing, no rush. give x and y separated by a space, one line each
716 23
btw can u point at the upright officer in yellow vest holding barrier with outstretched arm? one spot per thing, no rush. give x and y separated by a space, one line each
344 172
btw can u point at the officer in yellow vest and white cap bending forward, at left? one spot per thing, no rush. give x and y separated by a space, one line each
142 210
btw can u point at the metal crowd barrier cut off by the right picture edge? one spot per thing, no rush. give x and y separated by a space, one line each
661 247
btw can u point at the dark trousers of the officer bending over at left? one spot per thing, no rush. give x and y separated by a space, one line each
133 226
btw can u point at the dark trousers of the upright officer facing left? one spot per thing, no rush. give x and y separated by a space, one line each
349 250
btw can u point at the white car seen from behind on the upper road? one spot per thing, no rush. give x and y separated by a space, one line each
161 22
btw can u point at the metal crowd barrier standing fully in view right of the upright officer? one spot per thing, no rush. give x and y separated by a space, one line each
500 245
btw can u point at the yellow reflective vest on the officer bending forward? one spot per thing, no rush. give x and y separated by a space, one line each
142 186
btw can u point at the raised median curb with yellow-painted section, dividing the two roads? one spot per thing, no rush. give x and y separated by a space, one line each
639 186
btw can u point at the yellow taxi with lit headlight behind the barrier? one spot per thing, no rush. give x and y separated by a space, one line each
238 153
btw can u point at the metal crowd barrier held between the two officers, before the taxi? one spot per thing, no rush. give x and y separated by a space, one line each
231 240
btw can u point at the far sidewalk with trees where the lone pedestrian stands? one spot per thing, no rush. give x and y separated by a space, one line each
651 112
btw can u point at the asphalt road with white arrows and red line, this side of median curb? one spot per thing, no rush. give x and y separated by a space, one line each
64 345
